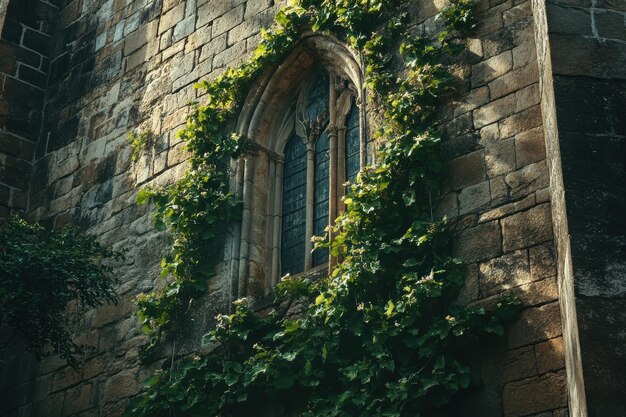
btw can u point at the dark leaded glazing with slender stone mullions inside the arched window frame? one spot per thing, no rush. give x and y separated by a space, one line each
320 155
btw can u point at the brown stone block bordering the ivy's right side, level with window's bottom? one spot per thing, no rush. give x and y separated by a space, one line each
478 243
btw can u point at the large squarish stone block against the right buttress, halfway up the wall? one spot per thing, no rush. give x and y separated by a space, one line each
527 228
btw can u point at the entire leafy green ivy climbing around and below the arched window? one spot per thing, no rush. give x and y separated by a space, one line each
381 335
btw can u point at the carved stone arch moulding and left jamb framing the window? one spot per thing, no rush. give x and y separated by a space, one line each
267 121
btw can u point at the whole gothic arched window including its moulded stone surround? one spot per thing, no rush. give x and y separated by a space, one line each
304 126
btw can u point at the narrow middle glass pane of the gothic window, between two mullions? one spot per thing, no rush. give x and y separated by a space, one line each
321 195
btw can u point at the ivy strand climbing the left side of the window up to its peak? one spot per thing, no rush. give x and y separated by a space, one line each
197 209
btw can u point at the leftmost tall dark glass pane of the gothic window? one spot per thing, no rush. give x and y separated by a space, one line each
294 210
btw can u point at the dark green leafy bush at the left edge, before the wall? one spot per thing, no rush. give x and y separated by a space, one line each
40 273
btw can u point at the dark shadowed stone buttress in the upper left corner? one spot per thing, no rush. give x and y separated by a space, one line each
24 50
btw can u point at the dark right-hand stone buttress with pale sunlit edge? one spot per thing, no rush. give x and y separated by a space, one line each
587 80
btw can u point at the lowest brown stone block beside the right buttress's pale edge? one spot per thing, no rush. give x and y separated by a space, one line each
535 395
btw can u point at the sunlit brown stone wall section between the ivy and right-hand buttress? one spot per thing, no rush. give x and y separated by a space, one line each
499 196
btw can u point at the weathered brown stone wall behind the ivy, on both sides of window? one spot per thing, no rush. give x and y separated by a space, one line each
129 65
